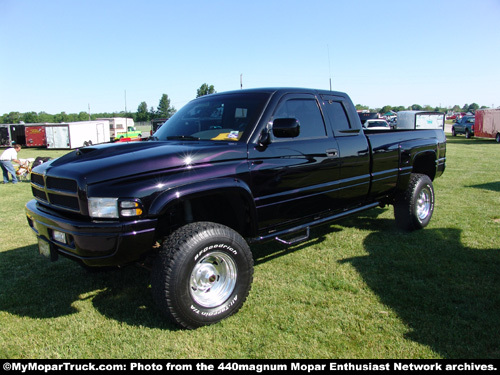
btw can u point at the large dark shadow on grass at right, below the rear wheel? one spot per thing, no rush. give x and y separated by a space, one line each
446 293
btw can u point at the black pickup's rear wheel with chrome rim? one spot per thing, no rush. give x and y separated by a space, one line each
413 209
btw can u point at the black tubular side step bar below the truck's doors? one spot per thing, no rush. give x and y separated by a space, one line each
280 234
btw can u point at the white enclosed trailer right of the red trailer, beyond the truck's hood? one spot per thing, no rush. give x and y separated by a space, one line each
77 134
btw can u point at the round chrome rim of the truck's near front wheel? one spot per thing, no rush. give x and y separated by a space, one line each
213 279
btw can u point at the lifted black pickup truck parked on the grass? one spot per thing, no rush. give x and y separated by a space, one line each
228 170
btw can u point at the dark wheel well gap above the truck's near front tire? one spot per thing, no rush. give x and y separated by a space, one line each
226 207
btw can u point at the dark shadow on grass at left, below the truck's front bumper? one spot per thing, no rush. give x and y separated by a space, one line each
35 288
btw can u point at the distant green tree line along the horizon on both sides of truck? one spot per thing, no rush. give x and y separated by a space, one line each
166 110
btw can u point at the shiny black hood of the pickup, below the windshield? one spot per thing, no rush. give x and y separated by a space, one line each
99 163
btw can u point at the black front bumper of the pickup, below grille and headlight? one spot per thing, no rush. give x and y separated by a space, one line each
94 243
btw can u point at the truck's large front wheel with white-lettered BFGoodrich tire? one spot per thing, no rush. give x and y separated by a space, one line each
203 274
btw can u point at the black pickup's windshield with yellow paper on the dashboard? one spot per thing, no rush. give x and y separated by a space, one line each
214 117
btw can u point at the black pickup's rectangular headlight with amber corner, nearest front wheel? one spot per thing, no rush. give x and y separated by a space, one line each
112 208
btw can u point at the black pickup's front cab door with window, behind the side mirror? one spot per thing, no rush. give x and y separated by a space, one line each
295 178
